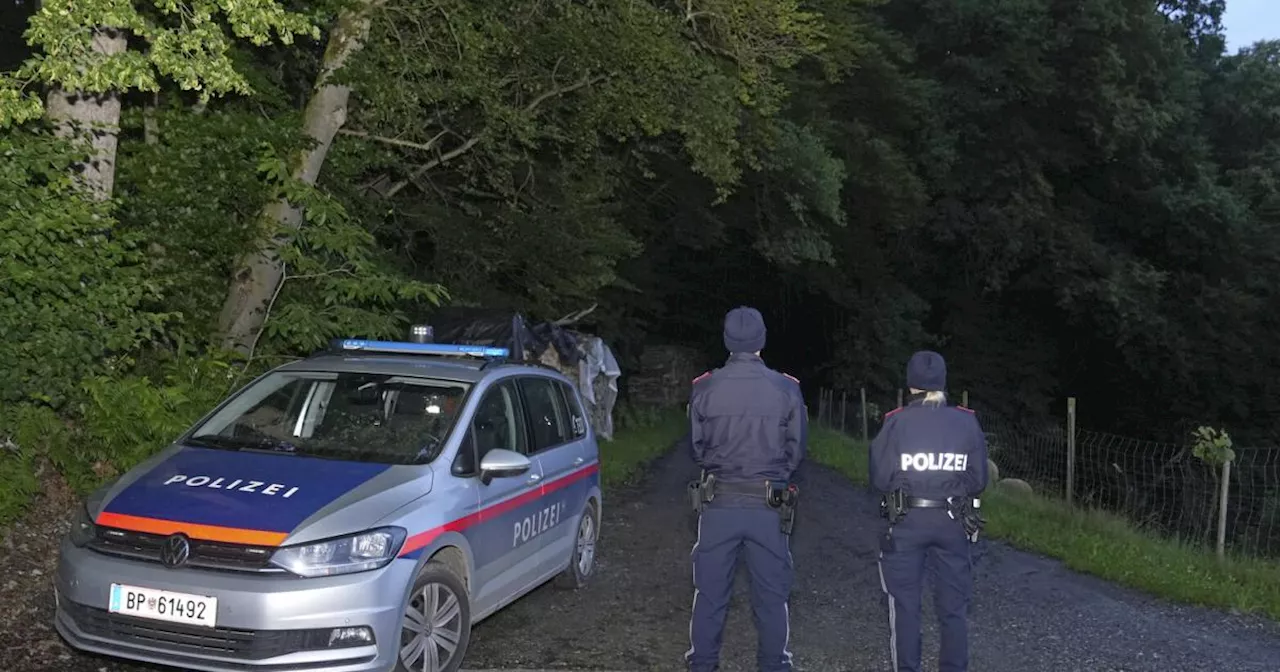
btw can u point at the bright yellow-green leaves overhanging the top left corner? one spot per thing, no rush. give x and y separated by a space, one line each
185 43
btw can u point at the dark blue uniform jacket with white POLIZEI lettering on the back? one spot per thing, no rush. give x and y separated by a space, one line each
932 452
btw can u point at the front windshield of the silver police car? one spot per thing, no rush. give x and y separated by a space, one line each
399 420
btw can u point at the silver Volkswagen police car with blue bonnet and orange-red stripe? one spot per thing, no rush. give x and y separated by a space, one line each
360 510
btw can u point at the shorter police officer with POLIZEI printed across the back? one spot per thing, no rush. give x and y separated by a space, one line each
930 460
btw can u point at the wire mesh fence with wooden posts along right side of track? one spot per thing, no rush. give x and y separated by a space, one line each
1164 488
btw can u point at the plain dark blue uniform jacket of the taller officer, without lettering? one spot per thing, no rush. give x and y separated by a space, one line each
748 422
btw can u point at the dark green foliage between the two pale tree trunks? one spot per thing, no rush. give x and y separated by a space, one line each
193 199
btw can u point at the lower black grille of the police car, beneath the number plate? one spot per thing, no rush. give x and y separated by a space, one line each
194 641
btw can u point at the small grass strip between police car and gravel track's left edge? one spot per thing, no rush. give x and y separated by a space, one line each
641 436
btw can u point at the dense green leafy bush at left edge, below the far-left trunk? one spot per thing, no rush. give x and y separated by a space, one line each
72 284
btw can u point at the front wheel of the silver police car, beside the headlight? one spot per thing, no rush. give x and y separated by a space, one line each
436 627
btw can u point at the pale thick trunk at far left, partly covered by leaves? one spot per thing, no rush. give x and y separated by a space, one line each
94 120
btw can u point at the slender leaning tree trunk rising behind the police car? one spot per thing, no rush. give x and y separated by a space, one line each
260 272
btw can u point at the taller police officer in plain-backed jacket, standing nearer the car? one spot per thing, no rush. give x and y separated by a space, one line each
748 431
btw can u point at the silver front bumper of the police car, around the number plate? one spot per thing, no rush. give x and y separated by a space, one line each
266 623
